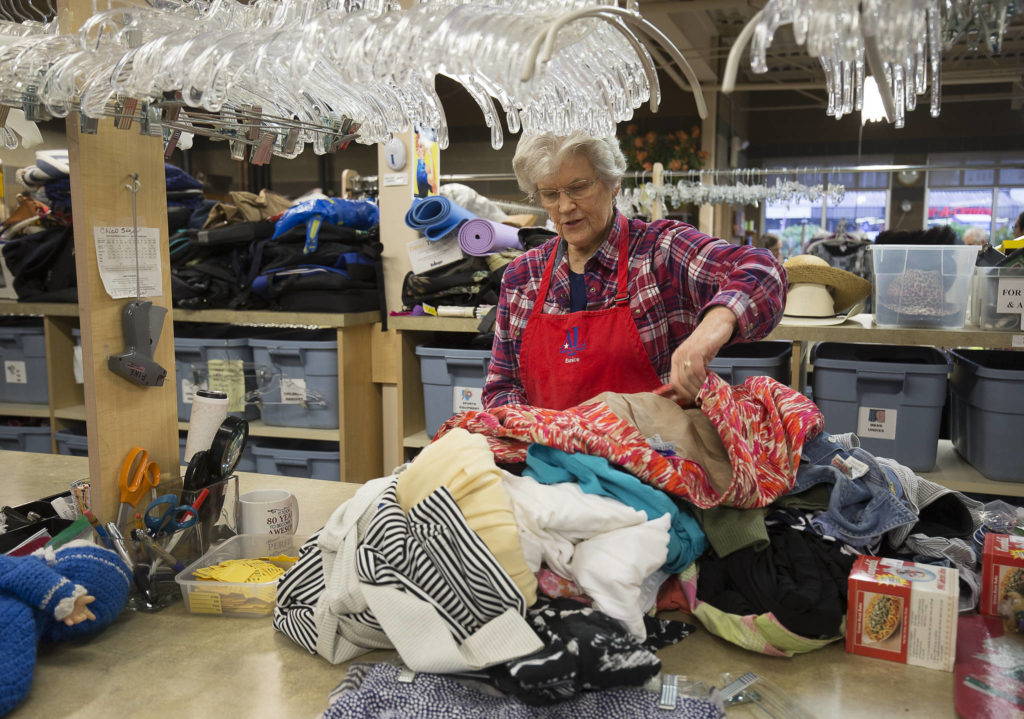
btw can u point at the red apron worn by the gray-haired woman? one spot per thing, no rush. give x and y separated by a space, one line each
569 359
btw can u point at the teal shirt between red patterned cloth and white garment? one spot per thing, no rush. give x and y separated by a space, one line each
596 477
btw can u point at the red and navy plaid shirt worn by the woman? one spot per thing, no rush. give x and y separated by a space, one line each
676 274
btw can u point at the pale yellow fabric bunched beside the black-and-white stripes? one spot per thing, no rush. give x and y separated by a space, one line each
463 463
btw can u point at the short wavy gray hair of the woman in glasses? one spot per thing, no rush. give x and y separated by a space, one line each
538 157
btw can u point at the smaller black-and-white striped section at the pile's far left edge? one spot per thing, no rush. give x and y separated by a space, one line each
298 591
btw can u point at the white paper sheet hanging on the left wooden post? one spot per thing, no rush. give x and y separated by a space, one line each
116 260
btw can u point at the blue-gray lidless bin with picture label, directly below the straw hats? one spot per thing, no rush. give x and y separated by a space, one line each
890 397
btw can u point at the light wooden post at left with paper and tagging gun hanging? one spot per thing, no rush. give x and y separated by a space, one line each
119 414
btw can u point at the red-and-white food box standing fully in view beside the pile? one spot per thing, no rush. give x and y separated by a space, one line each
903 612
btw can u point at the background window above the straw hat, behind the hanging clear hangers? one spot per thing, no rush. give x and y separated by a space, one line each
865 207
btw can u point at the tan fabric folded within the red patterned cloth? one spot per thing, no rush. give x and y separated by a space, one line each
694 435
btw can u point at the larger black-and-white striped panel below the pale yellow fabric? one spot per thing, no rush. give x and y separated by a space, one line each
435 556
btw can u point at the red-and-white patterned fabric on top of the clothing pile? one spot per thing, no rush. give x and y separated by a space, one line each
763 425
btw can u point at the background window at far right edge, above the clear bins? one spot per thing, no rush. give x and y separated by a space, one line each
988 196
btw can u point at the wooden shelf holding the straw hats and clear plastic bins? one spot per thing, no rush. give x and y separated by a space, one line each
861 329
